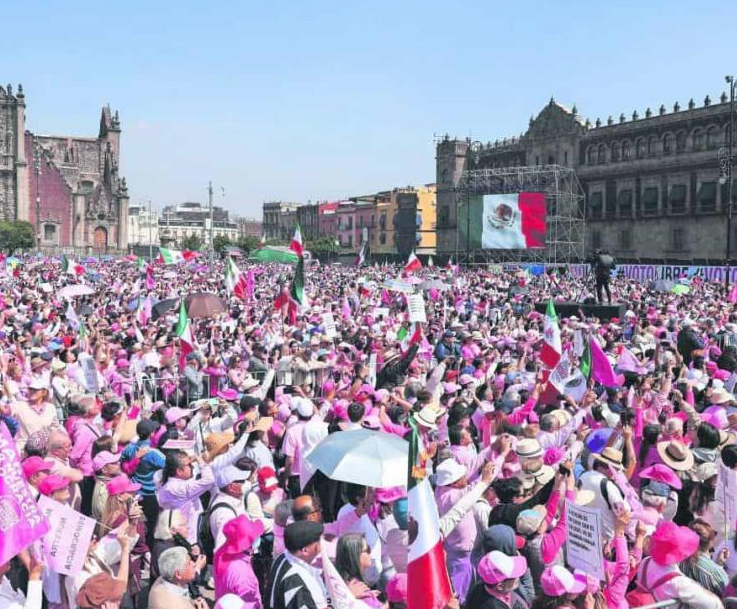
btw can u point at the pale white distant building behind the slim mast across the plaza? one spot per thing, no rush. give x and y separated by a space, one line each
192 218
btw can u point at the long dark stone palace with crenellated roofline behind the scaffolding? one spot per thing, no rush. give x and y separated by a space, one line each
651 182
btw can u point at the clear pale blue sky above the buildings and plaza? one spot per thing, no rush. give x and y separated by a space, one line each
324 99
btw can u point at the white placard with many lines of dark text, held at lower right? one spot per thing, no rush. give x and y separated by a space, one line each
583 541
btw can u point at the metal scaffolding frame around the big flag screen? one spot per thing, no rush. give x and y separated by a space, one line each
566 234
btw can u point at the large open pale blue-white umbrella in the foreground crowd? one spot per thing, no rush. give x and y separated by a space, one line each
363 456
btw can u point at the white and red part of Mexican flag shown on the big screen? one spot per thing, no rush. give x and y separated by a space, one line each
513 221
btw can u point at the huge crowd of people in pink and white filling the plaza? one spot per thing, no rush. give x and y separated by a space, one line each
194 463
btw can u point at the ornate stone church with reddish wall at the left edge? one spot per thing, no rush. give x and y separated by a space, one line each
67 187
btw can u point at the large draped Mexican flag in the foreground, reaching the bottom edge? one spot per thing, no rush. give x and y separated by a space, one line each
428 585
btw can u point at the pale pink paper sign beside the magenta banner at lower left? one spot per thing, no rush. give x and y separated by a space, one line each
66 544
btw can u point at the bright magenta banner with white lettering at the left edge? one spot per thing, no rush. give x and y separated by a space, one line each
21 521
